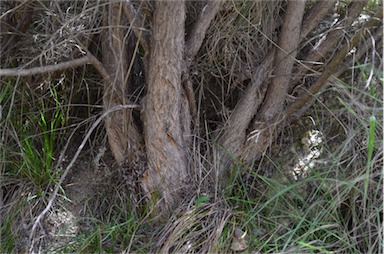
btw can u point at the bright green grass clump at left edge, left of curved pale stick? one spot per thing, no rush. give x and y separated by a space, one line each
32 137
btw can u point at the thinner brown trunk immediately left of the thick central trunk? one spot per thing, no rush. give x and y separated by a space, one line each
124 137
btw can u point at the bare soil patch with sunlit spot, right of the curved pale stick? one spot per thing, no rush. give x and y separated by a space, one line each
89 189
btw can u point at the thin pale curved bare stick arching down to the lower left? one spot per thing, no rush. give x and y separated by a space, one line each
58 185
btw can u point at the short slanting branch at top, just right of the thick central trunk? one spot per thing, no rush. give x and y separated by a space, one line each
200 28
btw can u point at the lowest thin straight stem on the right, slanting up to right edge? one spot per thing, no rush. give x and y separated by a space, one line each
337 59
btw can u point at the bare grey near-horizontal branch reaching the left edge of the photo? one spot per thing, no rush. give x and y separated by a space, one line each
45 69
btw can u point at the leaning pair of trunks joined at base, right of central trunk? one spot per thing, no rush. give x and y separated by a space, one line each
234 140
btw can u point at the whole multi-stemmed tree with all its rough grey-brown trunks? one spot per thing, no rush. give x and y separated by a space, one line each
168 109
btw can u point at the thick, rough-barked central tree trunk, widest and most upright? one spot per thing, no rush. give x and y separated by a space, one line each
165 145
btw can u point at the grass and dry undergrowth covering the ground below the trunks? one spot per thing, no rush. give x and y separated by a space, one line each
334 204
